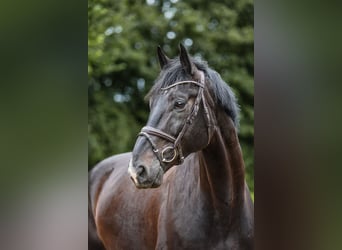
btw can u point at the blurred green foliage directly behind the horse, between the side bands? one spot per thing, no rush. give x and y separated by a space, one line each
122 63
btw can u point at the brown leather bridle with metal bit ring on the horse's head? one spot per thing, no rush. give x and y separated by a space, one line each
176 149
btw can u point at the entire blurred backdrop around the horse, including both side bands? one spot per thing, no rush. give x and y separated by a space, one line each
44 89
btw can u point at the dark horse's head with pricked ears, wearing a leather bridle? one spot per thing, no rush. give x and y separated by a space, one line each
179 121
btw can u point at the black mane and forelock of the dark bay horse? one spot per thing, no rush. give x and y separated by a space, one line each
223 95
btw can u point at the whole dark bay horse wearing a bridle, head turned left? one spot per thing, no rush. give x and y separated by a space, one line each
183 186
